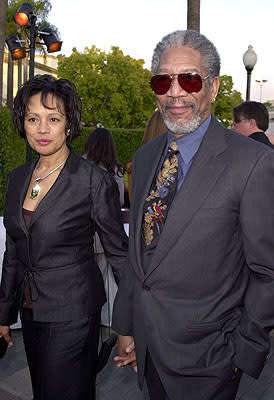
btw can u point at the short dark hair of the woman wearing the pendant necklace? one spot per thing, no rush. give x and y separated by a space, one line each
66 97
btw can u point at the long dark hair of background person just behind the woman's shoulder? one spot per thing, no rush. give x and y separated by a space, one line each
100 148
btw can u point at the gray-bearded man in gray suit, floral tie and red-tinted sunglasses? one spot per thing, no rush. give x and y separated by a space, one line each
198 295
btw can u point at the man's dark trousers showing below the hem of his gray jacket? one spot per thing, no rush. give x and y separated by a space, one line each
196 388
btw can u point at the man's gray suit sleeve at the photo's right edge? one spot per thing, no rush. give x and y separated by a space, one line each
257 225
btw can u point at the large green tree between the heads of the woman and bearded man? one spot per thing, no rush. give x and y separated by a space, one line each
114 88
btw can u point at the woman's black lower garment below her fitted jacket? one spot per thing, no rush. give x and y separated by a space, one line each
62 357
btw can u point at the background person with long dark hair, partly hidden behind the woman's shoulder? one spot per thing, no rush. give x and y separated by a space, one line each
100 149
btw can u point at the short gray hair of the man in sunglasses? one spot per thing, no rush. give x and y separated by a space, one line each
195 40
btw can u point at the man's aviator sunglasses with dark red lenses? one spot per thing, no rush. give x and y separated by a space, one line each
190 82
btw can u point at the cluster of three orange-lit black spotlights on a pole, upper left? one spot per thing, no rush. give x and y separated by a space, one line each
25 18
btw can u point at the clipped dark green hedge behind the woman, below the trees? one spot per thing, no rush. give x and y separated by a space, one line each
13 147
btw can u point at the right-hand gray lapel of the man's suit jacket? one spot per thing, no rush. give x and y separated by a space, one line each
206 168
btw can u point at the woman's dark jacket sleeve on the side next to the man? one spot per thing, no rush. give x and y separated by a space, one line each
109 226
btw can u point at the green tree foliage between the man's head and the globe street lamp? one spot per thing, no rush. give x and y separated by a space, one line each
227 98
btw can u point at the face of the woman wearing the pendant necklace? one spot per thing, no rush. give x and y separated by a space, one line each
45 127
